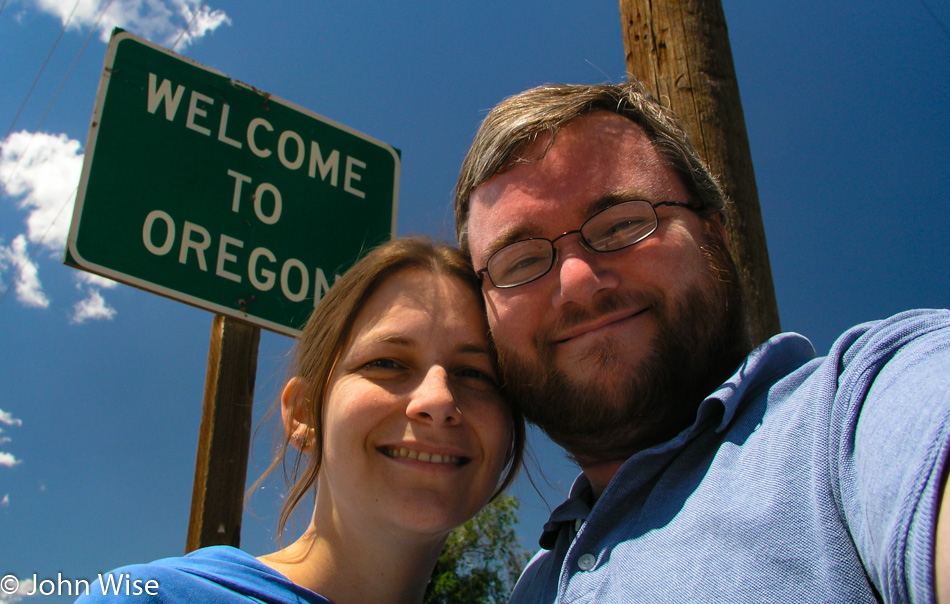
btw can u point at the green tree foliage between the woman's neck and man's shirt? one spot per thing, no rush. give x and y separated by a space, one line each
481 560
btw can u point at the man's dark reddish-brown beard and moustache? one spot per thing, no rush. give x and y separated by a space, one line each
699 342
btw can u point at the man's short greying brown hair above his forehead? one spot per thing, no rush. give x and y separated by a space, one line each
515 124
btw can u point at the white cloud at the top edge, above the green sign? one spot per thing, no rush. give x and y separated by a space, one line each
161 21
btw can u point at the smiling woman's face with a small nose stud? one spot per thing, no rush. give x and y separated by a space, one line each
416 433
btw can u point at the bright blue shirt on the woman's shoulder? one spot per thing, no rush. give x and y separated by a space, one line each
214 574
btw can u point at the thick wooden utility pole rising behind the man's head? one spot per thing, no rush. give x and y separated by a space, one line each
679 49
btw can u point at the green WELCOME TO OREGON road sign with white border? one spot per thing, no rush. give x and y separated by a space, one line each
211 192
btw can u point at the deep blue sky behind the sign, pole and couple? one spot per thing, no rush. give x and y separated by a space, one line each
846 104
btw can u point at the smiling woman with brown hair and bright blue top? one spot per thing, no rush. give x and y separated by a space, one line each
400 434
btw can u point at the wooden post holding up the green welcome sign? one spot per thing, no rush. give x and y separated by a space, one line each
224 439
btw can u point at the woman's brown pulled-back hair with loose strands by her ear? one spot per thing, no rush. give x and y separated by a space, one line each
326 333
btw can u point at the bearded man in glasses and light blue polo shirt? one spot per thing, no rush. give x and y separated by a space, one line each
712 472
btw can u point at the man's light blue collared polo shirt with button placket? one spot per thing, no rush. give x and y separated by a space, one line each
803 479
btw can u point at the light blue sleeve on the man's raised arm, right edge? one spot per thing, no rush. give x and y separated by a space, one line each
890 434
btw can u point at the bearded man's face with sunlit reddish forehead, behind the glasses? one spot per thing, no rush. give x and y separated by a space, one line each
601 349
